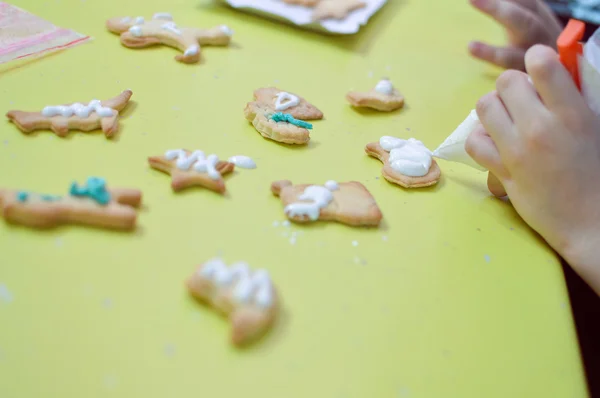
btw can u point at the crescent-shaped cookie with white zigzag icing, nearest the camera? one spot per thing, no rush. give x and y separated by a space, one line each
247 298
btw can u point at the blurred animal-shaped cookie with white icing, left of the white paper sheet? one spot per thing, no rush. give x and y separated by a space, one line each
138 32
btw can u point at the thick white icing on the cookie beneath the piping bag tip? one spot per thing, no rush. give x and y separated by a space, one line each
409 157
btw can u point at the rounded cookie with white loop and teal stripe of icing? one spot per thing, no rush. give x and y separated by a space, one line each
280 116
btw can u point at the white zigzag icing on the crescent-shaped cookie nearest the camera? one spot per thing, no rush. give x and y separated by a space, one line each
247 286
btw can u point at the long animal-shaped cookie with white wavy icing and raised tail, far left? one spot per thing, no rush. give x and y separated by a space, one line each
83 117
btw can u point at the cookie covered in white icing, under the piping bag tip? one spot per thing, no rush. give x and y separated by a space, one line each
407 163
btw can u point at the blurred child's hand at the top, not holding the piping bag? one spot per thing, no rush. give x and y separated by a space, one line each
527 22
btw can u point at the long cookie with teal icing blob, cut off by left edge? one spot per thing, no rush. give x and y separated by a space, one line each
93 204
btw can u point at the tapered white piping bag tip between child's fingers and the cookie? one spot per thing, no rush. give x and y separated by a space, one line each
453 149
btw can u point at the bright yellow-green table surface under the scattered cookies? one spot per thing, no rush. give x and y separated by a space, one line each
453 296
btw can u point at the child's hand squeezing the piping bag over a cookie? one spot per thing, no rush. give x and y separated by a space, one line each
543 149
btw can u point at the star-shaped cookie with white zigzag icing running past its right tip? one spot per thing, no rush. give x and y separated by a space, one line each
194 169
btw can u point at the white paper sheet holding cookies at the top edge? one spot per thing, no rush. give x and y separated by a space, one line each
301 16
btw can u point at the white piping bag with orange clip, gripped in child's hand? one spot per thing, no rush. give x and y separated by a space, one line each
583 64
